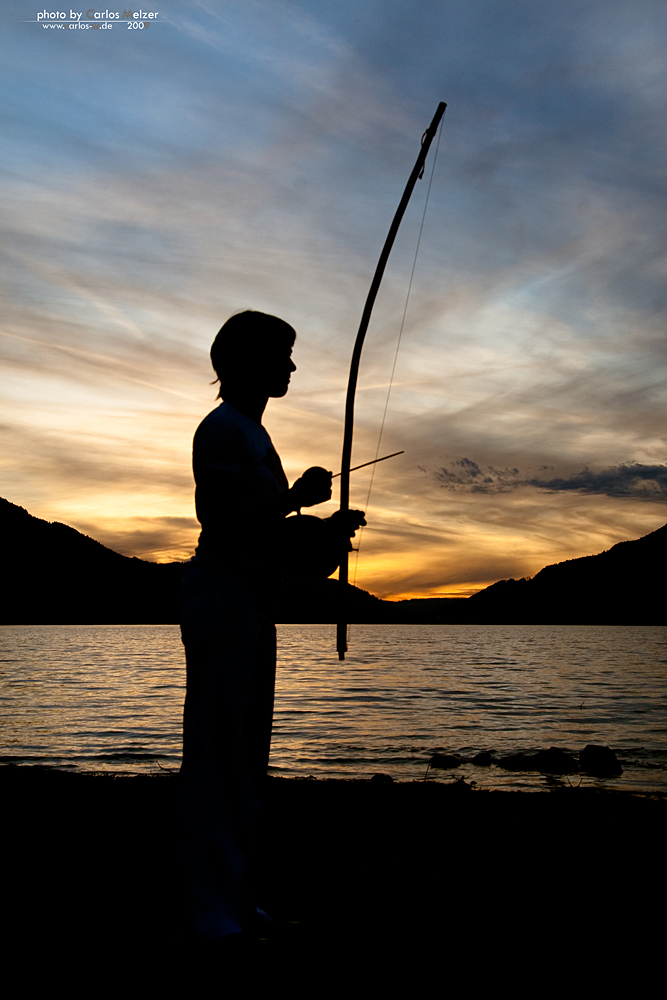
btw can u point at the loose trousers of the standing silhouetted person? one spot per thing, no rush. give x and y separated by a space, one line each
230 649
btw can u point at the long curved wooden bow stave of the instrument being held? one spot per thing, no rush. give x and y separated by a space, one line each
417 172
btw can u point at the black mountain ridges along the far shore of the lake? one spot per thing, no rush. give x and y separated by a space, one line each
53 575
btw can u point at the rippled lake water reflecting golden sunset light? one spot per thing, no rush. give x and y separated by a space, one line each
110 698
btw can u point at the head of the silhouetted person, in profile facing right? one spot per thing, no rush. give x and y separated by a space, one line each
251 353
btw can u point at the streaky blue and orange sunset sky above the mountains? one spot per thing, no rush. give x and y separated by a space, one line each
251 154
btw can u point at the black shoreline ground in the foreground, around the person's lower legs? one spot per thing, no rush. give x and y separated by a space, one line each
386 879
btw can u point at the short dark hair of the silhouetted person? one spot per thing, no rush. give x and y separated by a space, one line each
241 339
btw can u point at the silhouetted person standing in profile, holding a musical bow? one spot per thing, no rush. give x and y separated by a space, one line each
242 499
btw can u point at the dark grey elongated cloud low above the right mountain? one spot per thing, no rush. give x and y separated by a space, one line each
645 482
